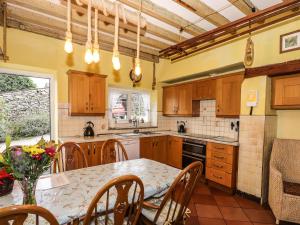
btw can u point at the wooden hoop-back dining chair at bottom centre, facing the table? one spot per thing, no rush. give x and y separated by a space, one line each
118 202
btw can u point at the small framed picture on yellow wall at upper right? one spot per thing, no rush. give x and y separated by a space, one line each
290 41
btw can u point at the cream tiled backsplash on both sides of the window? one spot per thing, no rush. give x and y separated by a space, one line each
207 123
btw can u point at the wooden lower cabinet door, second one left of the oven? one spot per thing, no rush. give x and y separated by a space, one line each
160 149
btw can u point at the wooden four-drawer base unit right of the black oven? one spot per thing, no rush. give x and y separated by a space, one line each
221 164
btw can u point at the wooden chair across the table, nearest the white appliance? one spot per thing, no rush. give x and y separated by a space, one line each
113 151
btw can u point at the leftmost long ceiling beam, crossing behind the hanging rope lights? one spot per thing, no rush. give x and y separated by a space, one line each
59 13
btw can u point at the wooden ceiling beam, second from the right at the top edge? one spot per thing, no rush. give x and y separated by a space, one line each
204 11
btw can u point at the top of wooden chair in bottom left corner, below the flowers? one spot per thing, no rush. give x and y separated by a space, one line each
17 215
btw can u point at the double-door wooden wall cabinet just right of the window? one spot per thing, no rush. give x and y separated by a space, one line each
177 100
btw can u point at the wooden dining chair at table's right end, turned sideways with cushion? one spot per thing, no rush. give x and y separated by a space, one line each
172 208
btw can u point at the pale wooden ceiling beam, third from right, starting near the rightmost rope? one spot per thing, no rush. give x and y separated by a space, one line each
164 15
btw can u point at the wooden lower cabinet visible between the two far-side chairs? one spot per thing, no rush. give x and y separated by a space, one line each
92 151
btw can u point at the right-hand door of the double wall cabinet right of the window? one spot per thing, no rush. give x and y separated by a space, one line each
184 106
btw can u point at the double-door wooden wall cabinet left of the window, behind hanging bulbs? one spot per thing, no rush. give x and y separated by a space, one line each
86 93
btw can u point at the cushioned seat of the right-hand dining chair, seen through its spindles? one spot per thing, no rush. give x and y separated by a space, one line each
150 213
